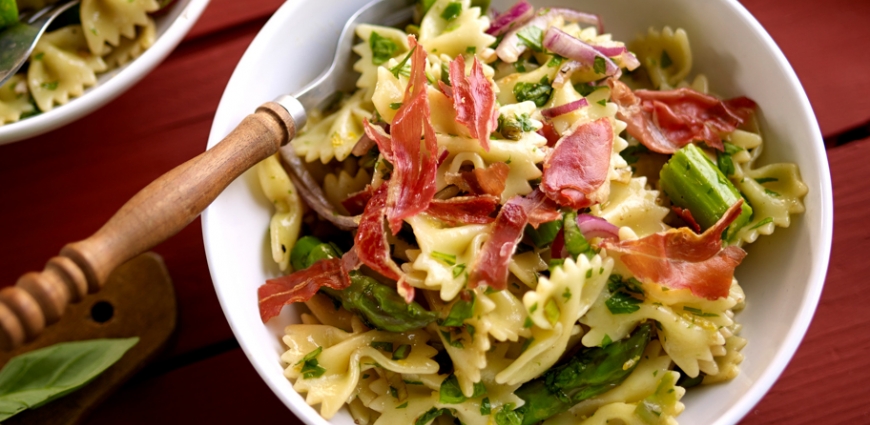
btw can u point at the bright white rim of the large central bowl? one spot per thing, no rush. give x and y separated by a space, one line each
780 358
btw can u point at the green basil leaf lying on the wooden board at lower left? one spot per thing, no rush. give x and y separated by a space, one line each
32 379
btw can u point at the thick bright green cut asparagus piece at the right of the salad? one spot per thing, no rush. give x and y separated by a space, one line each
693 182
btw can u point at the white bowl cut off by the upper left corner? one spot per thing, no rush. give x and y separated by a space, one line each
171 28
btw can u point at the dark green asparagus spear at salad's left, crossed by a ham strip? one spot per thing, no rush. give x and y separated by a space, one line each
380 306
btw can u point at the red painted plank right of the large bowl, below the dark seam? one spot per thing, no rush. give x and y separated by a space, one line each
826 380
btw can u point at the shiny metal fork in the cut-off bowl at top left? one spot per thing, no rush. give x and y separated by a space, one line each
17 41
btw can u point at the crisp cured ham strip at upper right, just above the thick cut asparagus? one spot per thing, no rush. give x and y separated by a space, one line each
665 121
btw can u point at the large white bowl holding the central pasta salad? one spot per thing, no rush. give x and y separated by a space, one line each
782 276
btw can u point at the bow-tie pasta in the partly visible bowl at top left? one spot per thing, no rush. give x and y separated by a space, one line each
93 38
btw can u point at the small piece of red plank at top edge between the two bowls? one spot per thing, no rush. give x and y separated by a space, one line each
223 14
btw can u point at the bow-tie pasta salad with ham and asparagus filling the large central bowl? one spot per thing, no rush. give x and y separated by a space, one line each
516 219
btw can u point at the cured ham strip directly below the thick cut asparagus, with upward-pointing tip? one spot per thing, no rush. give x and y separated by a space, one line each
680 258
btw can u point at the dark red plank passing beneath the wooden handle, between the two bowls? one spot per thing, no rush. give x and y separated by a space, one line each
62 186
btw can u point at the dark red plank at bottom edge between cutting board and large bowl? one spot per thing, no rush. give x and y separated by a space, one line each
224 389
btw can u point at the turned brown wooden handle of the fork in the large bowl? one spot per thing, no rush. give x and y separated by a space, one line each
157 212
